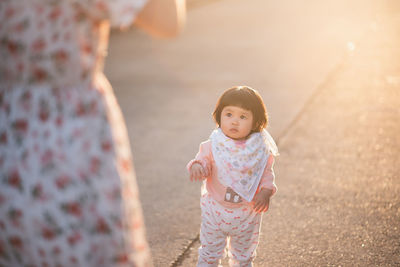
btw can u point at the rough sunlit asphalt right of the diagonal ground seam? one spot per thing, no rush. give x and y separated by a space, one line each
338 202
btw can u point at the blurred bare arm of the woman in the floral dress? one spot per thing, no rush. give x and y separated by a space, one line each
162 18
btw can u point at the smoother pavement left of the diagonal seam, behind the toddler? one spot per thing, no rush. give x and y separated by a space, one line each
167 89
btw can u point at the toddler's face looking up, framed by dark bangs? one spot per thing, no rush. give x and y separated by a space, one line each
236 122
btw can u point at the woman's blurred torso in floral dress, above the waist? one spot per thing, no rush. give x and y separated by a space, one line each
49 44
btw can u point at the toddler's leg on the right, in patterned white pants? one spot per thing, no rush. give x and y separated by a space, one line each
243 243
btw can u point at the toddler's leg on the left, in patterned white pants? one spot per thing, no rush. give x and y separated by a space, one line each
212 239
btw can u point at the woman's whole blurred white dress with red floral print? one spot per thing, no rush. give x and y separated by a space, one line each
68 194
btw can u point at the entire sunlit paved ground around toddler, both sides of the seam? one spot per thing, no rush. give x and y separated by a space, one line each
335 188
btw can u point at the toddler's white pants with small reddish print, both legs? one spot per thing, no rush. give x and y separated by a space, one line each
235 228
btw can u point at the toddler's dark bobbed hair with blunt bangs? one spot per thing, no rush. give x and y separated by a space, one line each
246 98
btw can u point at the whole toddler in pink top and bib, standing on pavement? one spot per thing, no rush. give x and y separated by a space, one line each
236 166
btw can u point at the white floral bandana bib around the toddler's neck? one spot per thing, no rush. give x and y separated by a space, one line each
241 164
